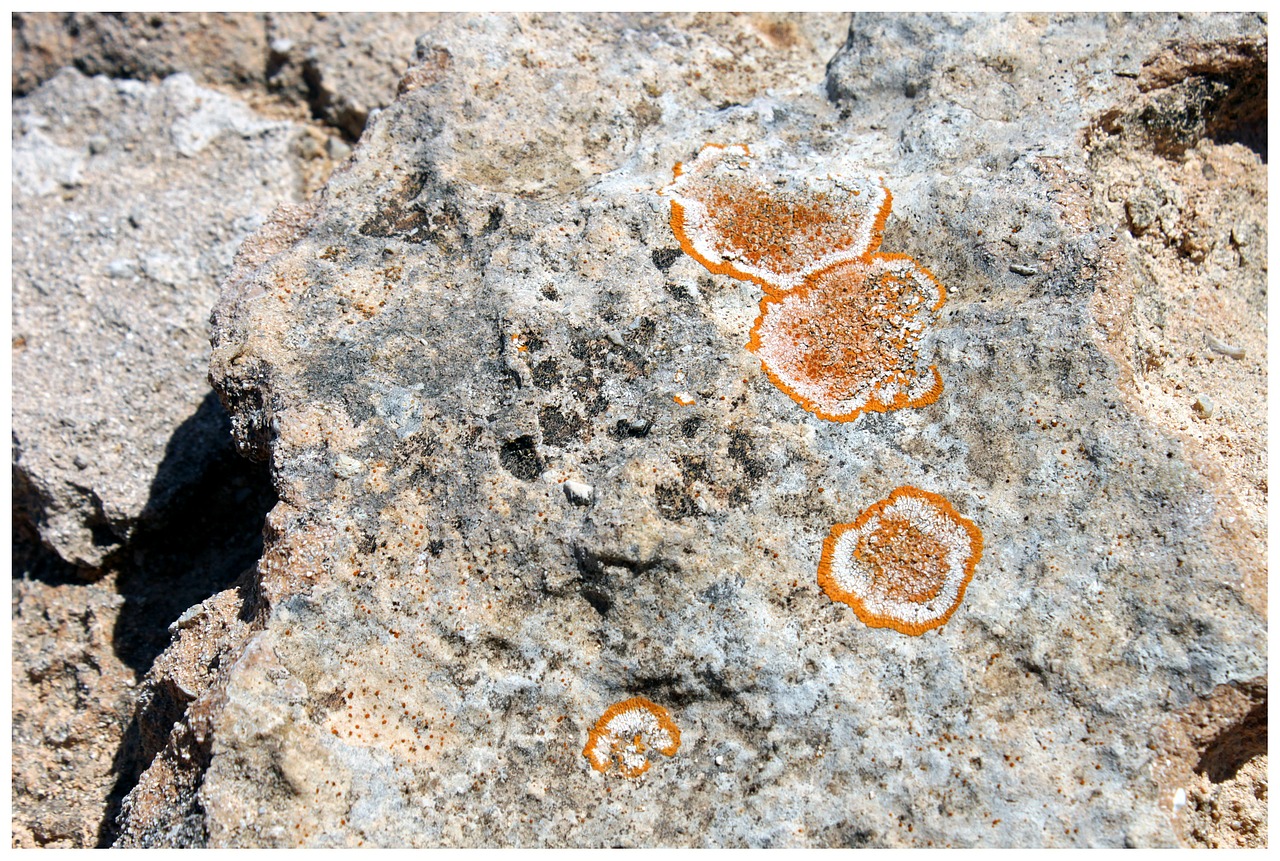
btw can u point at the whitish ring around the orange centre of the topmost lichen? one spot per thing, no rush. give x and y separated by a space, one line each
716 161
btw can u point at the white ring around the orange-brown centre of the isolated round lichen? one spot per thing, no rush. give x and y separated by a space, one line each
858 580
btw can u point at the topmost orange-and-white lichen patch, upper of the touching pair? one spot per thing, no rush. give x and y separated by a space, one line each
772 231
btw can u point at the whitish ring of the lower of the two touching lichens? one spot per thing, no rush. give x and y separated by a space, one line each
783 356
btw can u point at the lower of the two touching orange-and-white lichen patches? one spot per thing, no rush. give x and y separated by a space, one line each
849 340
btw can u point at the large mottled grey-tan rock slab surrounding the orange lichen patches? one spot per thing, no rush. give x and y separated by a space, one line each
431 642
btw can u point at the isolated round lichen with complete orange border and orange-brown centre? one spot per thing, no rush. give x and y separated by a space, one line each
904 564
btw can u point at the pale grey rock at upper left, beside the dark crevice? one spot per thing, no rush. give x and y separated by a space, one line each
118 253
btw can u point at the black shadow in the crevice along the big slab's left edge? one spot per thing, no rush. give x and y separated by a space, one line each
195 544
